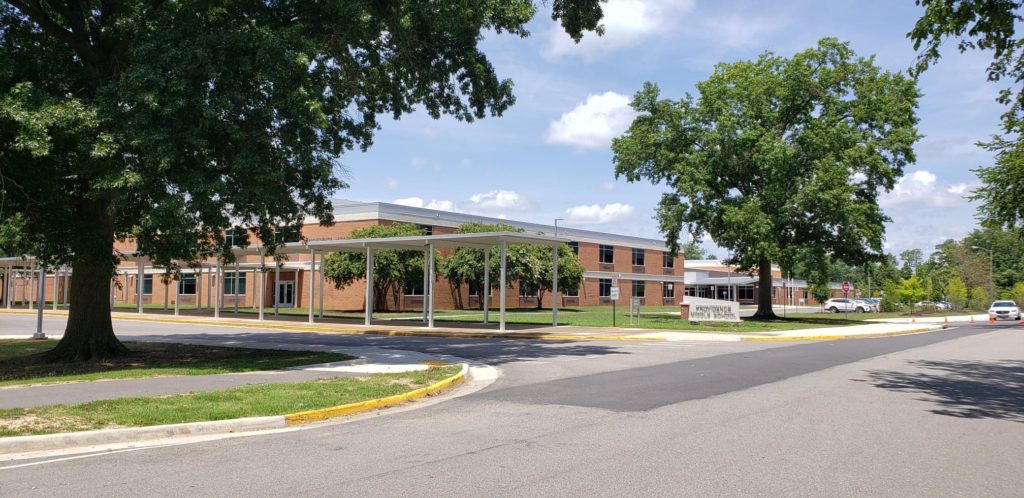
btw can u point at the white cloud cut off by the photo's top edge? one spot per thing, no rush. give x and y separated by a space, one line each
626 23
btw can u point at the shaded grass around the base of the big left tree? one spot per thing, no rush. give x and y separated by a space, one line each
19 364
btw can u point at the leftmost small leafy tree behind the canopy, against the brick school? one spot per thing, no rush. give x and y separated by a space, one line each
393 269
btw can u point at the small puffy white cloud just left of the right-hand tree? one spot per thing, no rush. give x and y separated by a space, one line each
593 123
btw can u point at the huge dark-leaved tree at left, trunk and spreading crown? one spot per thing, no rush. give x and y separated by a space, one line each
165 122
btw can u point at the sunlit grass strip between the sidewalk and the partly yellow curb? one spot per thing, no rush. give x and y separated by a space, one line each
250 401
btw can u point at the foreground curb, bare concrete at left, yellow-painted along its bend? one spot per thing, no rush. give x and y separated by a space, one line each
27 444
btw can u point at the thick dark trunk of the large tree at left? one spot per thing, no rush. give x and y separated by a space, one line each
90 335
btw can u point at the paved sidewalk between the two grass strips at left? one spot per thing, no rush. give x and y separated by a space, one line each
371 361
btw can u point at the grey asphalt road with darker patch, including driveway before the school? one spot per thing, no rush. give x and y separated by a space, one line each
937 414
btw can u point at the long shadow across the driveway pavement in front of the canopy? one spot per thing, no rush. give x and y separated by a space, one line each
493 352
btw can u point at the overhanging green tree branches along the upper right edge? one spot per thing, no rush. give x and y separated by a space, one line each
987 26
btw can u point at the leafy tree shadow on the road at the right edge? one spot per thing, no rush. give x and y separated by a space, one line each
962 389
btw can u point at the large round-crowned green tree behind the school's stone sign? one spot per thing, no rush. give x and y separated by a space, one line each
778 157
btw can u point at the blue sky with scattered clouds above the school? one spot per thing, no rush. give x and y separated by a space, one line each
549 157
